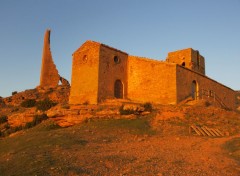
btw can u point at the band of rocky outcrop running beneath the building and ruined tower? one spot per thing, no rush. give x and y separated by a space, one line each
26 109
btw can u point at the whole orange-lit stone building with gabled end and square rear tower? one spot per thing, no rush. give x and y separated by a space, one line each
100 72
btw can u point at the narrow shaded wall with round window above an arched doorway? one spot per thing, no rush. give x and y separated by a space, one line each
112 67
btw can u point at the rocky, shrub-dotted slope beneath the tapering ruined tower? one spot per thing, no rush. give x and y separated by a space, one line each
22 108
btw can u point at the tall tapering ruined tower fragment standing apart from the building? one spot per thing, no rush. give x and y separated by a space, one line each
49 74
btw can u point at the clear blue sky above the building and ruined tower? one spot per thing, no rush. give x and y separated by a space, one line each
149 28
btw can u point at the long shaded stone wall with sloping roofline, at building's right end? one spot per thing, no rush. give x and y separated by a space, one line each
185 78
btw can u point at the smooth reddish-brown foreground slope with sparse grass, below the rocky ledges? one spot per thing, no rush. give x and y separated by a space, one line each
117 147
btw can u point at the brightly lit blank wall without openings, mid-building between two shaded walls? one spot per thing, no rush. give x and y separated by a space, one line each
151 81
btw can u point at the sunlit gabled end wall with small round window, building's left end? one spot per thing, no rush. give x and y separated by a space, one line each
85 72
